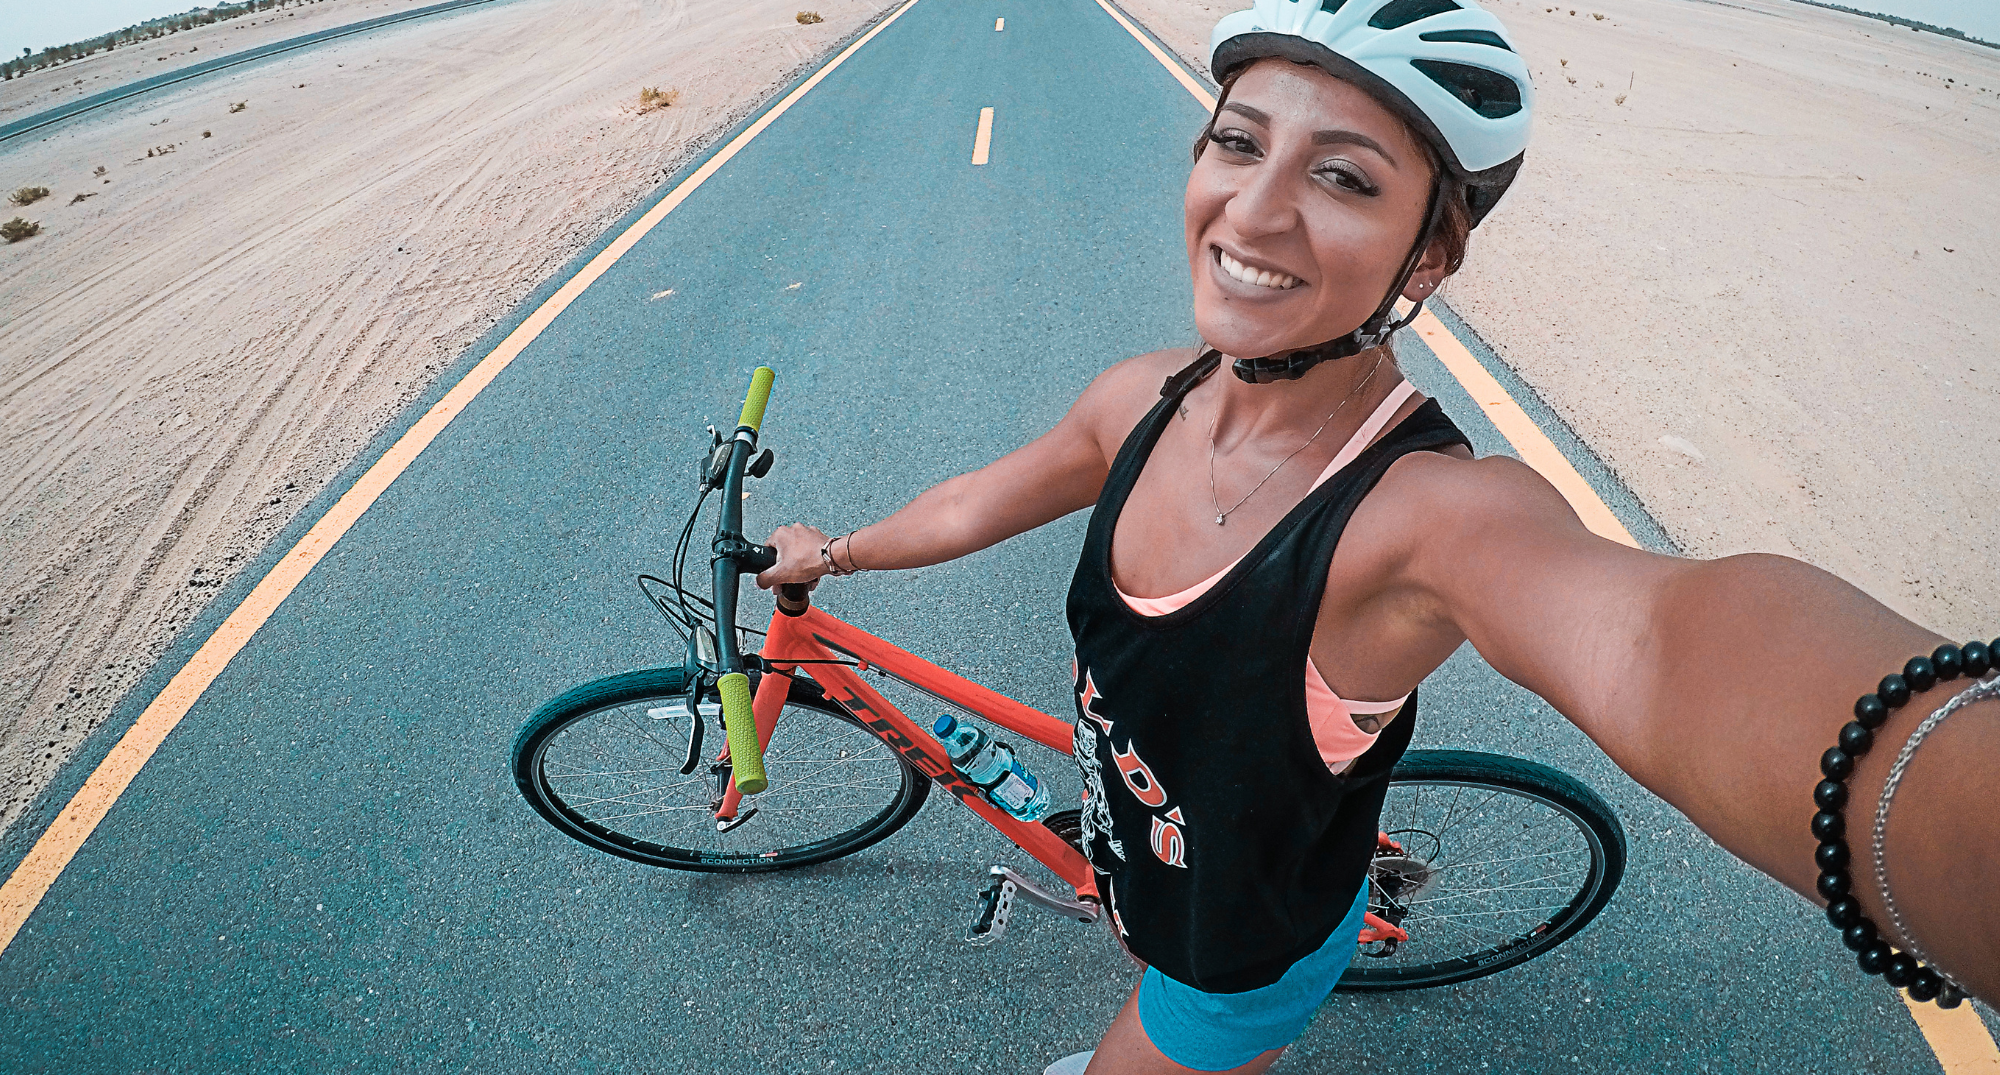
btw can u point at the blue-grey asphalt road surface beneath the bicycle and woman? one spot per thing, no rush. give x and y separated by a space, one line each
327 866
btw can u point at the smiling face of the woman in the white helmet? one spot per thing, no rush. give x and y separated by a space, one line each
1301 213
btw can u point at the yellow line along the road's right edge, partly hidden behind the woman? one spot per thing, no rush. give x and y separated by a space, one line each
1959 1038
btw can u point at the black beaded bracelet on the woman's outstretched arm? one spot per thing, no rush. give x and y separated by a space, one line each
1829 826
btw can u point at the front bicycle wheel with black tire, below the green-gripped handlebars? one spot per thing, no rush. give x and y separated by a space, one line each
603 764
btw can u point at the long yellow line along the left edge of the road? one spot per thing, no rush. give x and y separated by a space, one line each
63 838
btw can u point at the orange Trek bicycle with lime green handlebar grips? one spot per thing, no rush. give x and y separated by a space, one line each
1485 860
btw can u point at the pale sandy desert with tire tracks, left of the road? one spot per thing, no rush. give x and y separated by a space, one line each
189 355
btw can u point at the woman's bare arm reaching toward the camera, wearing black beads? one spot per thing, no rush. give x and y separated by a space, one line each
1719 686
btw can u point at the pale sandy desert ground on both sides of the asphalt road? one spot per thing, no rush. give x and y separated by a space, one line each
1751 261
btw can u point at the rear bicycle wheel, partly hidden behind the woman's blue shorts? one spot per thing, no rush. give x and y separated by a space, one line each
1501 860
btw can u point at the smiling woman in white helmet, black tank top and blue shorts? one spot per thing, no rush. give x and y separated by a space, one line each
1285 544
